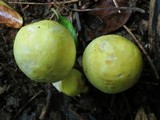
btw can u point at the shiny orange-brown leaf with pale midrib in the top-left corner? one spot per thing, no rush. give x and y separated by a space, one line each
10 17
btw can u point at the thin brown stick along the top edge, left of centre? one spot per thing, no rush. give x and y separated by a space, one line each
50 3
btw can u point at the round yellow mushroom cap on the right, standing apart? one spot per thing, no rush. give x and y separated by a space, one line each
112 63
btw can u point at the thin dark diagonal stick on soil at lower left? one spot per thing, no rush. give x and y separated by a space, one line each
29 101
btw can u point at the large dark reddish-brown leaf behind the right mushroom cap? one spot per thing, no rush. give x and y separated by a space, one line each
112 18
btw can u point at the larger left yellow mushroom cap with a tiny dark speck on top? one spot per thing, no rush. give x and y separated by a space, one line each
44 51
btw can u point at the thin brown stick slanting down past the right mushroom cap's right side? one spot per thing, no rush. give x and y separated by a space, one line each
143 50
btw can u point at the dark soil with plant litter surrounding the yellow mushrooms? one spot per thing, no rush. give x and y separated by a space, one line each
24 99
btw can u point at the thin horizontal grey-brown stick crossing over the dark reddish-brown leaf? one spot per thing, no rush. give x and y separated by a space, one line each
110 8
